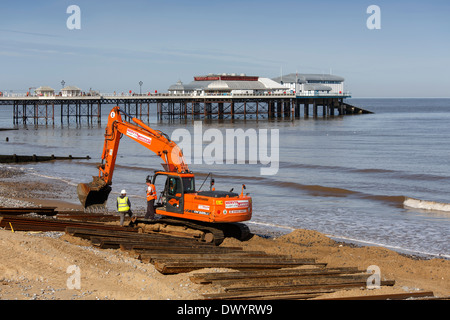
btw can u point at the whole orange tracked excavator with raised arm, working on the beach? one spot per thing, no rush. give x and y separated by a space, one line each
208 215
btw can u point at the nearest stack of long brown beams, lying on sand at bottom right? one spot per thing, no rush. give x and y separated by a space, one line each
295 283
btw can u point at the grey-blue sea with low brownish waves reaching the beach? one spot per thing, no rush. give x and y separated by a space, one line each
380 179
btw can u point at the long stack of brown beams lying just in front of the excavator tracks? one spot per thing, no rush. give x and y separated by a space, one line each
171 255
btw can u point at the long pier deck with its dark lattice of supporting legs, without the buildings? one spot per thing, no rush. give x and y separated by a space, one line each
88 109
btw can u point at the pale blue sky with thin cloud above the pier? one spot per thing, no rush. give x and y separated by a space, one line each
120 43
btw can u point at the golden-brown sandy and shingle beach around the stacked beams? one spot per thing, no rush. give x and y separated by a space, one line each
34 266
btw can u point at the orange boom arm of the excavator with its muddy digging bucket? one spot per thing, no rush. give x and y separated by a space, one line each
96 192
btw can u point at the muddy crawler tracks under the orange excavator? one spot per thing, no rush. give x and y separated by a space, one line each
203 232
